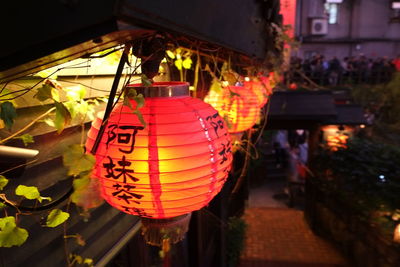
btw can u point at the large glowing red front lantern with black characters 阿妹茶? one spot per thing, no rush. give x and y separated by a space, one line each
163 170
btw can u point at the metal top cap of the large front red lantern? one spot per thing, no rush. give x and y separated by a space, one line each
161 89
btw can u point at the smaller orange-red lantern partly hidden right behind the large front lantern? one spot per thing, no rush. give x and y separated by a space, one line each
237 104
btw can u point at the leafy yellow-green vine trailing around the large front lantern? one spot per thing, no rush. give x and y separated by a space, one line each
70 106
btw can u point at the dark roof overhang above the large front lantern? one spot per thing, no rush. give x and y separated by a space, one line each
36 35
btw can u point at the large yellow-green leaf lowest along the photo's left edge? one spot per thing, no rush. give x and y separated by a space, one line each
10 234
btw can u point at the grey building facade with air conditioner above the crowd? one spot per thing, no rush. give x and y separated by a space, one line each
346 28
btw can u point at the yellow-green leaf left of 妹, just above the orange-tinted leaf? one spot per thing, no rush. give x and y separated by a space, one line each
77 160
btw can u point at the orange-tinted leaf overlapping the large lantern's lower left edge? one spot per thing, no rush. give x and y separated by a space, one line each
86 193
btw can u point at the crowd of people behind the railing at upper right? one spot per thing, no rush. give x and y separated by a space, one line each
334 71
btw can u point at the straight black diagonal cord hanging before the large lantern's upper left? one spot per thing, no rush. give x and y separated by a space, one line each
113 92
